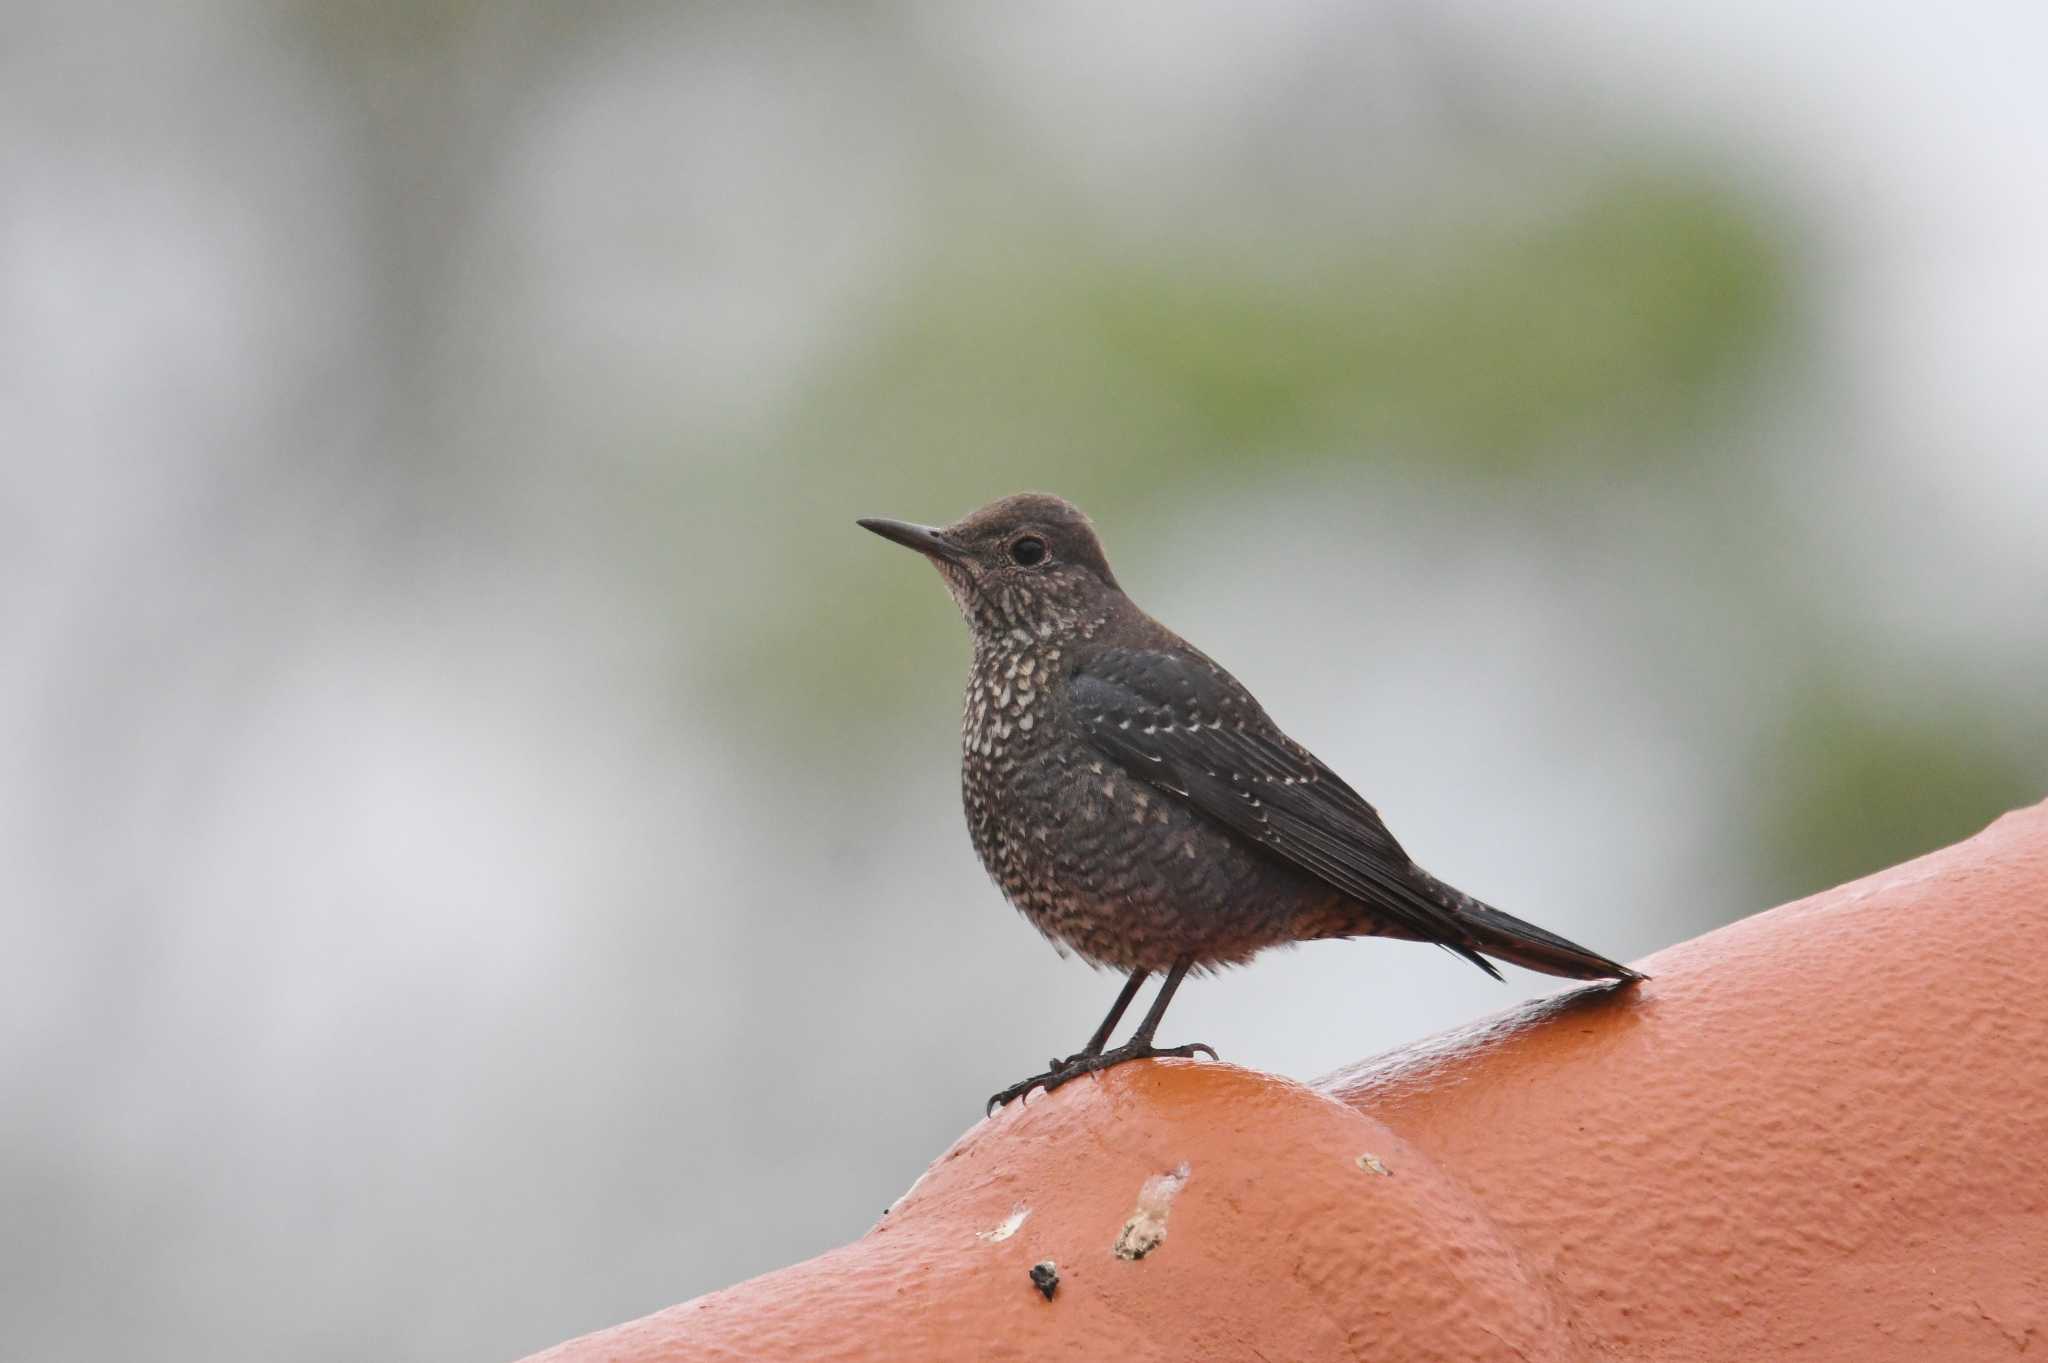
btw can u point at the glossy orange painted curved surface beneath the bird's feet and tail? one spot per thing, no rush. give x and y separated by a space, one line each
1818 1135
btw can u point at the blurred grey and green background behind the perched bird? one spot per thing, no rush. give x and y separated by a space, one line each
478 824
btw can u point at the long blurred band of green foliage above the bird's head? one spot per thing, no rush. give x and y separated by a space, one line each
1531 349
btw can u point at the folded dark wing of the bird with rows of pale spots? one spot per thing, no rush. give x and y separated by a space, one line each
1183 726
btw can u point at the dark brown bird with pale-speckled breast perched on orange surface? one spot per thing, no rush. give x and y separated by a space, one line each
1138 805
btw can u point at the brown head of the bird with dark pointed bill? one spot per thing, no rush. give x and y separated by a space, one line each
1029 562
